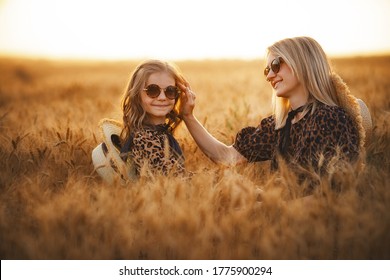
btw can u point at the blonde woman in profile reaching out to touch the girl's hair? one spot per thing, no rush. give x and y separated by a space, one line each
314 119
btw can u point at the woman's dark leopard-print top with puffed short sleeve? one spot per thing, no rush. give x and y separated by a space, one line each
325 131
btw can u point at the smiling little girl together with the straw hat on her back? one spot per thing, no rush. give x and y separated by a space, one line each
144 144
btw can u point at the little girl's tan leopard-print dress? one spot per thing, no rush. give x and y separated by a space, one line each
153 149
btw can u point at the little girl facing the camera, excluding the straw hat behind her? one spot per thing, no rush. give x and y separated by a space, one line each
150 107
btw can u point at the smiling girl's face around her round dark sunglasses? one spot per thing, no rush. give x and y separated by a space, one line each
157 108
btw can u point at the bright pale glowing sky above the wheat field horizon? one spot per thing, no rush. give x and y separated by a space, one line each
188 29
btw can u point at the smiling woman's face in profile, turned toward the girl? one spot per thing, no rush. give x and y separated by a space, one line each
284 82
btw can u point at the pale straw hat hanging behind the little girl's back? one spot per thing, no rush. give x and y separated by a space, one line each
106 156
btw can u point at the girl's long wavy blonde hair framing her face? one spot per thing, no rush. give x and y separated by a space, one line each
133 112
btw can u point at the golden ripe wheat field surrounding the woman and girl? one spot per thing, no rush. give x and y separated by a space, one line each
54 206
